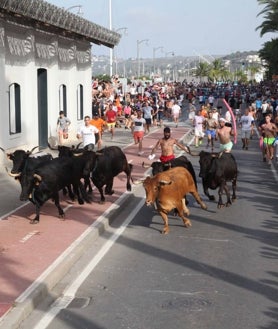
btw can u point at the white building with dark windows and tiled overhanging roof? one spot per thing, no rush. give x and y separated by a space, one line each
45 67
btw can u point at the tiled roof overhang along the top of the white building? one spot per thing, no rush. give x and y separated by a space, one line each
41 15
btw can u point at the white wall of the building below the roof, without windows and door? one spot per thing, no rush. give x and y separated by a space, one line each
67 62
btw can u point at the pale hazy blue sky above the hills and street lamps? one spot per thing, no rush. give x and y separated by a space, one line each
183 27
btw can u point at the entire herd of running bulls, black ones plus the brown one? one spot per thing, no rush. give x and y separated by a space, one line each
43 177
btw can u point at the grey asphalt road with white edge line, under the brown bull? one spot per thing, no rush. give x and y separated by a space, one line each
220 273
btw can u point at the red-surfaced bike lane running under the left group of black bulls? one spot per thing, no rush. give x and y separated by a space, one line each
28 252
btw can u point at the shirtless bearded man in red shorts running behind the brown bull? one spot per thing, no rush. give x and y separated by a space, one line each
167 146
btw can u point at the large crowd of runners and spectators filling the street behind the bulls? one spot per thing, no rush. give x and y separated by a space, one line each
145 104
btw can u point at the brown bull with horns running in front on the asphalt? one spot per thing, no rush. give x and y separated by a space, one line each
168 190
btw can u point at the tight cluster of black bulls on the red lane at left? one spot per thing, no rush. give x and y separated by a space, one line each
42 177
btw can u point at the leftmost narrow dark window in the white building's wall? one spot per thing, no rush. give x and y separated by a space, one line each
14 109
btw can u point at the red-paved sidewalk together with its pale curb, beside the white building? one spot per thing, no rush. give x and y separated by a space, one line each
33 258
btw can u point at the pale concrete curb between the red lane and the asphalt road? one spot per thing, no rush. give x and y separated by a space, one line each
41 288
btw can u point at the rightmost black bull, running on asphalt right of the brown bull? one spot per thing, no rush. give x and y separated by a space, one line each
216 169
